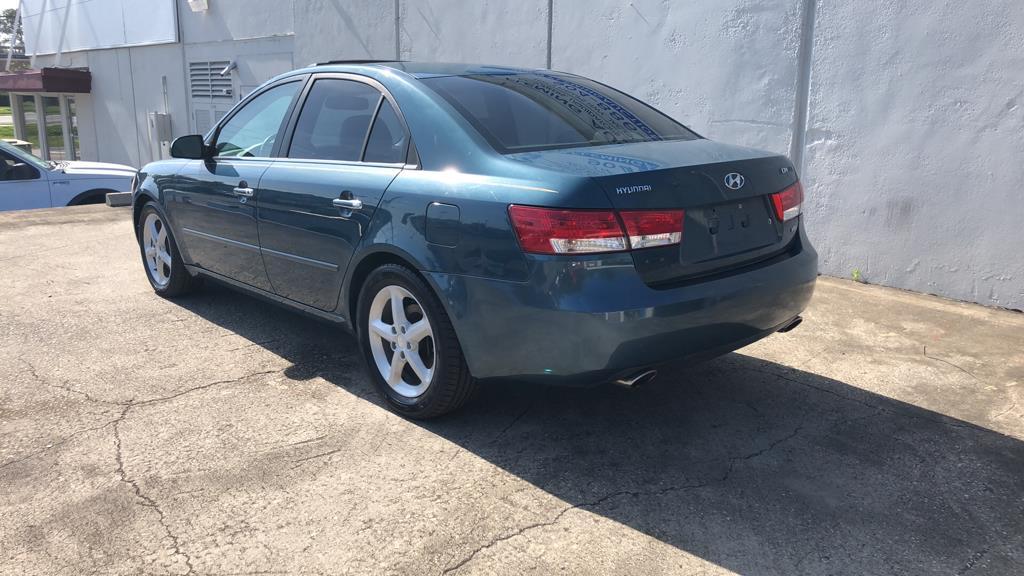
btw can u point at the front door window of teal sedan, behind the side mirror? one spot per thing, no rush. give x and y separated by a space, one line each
252 131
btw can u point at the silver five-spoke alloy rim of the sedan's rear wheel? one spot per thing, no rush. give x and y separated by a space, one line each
402 342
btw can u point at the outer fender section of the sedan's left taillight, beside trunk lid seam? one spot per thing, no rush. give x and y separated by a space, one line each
545 231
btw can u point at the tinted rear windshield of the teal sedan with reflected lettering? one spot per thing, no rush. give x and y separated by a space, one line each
537 111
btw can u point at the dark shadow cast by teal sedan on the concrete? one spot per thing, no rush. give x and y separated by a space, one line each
750 465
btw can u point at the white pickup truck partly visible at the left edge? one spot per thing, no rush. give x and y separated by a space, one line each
28 182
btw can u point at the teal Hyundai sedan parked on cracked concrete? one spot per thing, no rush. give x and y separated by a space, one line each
481 223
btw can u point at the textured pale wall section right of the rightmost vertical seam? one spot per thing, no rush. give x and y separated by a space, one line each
916 146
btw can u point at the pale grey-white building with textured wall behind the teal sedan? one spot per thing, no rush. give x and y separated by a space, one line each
906 116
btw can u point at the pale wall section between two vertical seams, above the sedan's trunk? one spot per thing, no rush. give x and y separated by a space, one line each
726 68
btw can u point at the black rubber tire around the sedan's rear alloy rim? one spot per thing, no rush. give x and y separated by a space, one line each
451 385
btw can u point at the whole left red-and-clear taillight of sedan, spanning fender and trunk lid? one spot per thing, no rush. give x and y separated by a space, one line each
552 231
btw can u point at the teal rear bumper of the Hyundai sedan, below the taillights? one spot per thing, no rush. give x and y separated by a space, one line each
585 322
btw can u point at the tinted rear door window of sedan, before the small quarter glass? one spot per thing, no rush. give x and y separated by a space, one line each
334 120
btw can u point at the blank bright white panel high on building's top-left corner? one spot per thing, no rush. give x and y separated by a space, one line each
97 24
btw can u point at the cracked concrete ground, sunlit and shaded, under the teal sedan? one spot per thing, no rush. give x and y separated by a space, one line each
220 435
